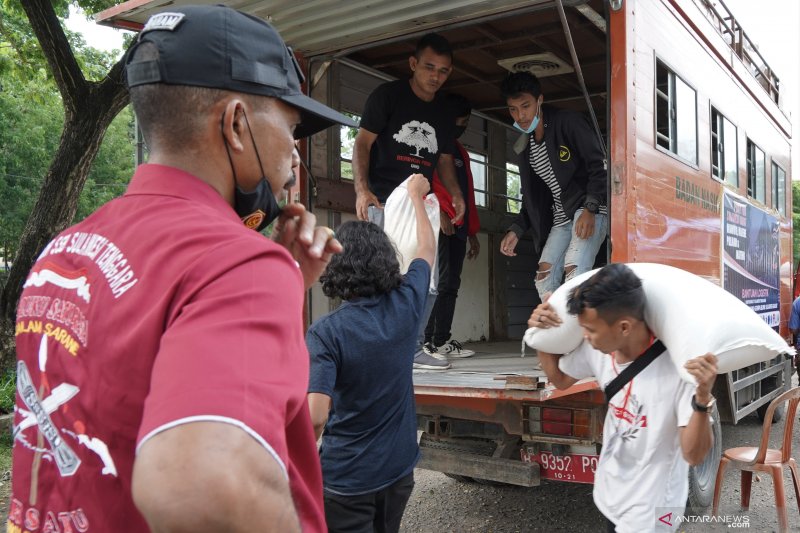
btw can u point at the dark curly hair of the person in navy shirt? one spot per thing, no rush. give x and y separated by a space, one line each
368 265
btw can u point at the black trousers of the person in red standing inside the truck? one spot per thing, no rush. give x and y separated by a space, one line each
452 251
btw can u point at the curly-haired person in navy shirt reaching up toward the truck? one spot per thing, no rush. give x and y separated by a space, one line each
360 393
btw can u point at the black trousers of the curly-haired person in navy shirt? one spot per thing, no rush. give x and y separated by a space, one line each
379 512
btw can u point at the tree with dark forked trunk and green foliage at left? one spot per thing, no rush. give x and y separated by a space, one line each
58 98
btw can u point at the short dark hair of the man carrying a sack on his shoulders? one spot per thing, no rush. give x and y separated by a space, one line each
615 291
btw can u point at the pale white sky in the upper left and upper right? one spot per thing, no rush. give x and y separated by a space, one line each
771 24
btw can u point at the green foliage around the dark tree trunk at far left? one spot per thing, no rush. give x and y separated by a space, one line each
33 117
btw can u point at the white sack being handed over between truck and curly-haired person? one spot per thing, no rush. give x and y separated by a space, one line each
400 224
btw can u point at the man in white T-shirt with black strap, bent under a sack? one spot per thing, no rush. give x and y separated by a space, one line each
656 424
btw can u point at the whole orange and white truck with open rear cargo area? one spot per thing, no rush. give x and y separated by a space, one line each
698 159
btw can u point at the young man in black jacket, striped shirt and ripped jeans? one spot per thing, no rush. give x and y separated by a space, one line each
564 185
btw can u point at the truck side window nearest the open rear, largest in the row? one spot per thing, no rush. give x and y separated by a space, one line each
676 114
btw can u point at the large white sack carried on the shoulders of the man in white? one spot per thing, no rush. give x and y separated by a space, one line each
691 316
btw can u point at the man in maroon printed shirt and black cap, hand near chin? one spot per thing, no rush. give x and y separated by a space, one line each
162 368
